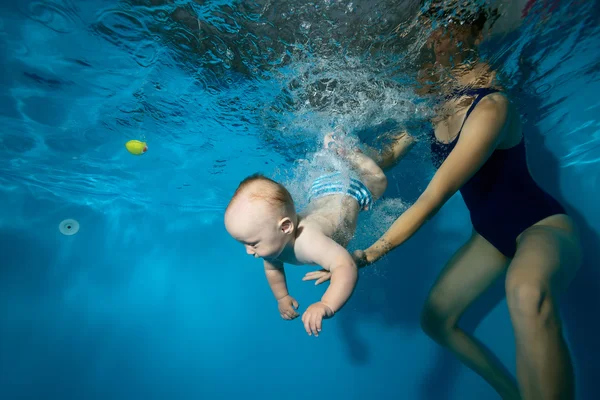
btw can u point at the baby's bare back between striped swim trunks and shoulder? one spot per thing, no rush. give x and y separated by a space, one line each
334 215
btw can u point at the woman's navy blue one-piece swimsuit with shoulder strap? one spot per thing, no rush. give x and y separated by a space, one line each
502 197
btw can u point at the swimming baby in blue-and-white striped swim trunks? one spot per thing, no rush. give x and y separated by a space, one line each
262 216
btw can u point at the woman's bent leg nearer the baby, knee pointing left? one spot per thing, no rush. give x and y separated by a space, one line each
469 273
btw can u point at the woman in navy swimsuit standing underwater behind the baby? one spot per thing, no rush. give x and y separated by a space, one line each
478 149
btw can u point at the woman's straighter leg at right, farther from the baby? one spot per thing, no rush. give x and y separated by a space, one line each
546 261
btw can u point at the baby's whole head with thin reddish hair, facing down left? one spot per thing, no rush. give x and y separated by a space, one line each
261 215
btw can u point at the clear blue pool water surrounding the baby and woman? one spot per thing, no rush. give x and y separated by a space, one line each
151 299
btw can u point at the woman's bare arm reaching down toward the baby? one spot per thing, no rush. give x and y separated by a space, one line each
480 135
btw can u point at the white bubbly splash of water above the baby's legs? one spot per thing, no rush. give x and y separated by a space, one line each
342 93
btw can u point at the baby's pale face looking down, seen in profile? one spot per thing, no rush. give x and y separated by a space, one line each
257 226
